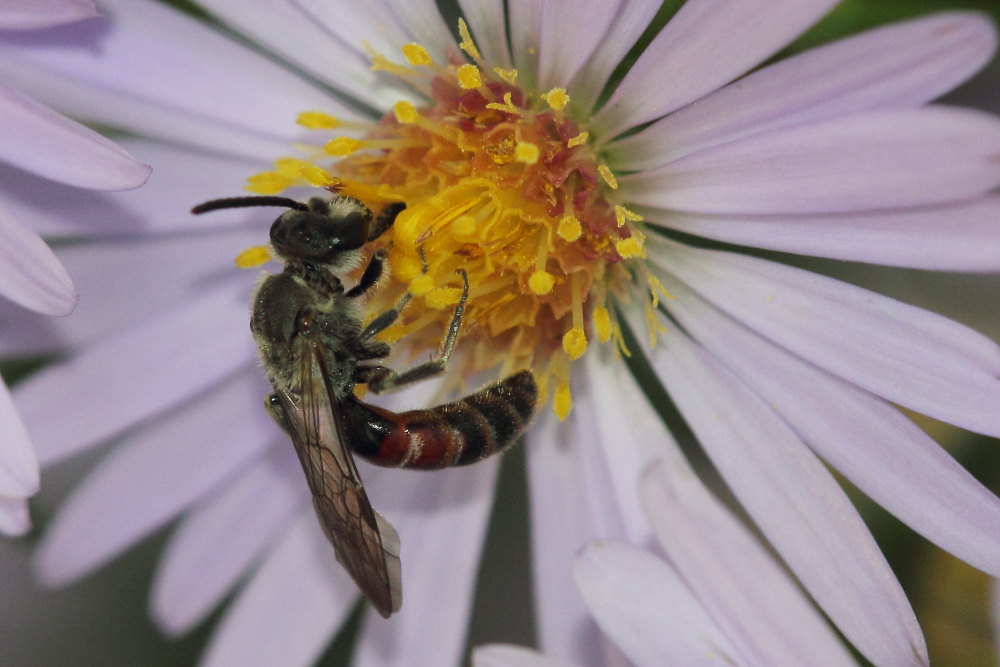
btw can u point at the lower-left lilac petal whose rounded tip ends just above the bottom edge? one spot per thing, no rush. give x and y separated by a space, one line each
223 537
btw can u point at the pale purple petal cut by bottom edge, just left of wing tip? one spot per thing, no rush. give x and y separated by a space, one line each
291 607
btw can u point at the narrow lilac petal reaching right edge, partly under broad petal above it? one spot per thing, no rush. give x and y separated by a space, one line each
962 237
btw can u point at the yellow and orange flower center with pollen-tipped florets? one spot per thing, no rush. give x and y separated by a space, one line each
499 181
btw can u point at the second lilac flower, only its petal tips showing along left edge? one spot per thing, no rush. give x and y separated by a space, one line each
45 143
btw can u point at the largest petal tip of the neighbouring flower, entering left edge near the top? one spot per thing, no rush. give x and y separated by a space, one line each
48 144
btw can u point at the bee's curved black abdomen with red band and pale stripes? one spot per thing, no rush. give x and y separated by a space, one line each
452 434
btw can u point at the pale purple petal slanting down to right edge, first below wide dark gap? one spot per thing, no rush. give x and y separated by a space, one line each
905 354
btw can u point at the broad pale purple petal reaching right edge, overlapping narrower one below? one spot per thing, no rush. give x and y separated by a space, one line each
876 160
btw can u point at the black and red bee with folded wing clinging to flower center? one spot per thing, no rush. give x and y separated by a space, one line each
315 349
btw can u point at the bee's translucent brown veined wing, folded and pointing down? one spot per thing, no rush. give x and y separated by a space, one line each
365 543
